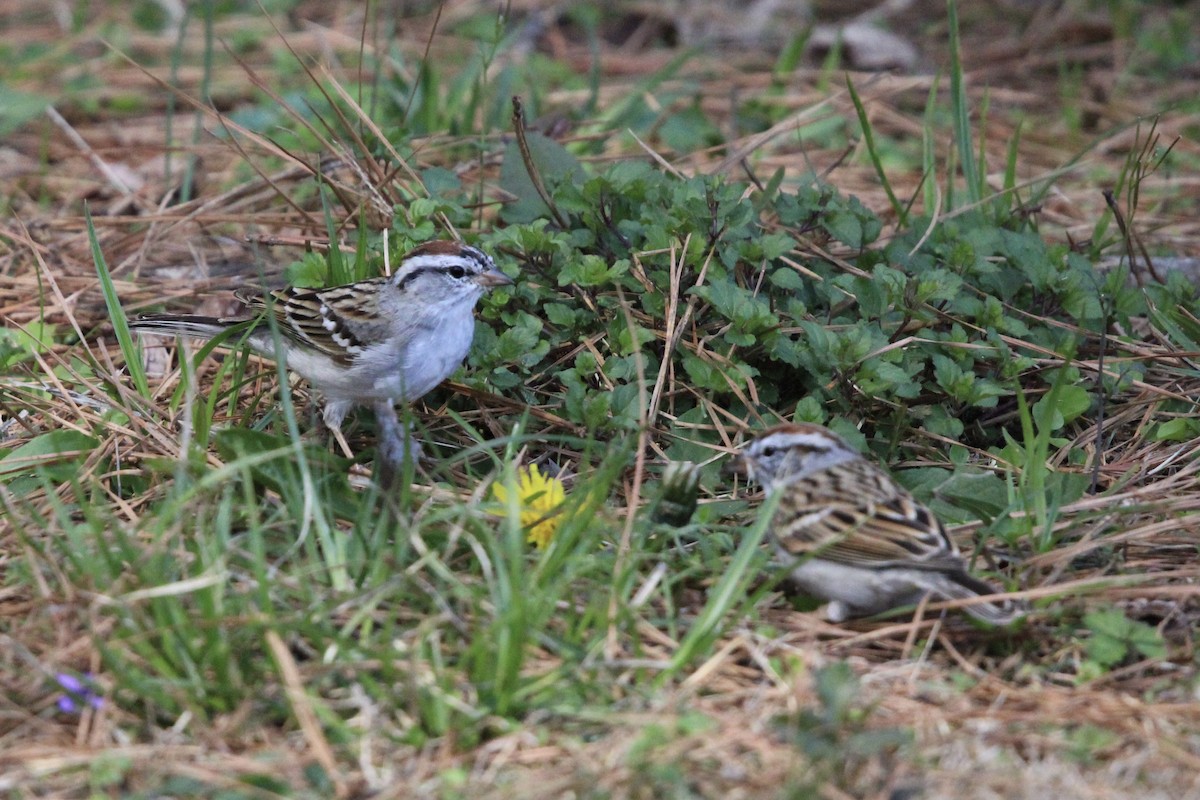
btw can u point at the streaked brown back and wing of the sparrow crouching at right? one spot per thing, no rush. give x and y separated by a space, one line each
855 514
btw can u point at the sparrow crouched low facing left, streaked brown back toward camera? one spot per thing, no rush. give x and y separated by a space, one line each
856 537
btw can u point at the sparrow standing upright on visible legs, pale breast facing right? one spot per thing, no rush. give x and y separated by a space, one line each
375 342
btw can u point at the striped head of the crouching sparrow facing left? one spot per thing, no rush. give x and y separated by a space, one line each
789 453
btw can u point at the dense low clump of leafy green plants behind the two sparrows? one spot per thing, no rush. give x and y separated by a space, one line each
794 328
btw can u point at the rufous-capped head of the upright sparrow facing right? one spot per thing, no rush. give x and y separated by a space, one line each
448 272
